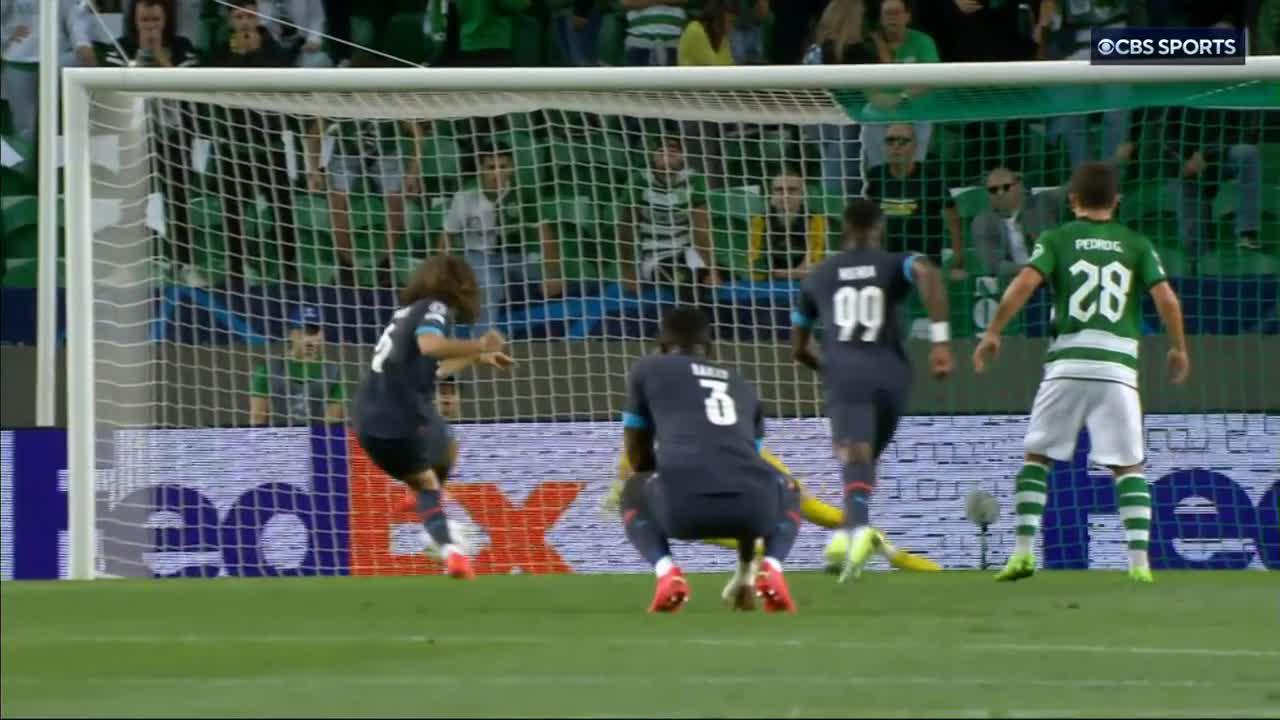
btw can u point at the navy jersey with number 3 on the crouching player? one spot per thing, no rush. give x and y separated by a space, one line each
707 421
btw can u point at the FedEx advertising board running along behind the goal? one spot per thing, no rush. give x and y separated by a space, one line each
304 502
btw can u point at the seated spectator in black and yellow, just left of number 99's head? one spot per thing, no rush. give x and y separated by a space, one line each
788 240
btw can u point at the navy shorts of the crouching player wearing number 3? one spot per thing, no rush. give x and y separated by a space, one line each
687 513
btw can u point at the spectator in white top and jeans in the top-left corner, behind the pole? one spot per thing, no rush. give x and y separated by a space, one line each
20 48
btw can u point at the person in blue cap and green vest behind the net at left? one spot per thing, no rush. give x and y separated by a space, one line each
301 388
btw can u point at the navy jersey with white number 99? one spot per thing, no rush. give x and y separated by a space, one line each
858 298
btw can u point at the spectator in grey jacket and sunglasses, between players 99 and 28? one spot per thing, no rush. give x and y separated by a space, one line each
1007 233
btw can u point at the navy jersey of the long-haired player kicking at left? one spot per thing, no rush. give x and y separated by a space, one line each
397 395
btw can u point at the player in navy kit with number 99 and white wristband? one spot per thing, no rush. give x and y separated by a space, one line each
865 368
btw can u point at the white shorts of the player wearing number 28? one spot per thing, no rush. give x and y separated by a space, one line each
1113 413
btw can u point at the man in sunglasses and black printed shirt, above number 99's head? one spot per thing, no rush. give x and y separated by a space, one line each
920 212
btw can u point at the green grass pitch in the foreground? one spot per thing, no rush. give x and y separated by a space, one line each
893 645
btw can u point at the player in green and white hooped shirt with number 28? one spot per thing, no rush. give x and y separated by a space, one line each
1098 271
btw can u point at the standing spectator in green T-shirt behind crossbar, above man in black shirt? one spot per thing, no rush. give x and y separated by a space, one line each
906 45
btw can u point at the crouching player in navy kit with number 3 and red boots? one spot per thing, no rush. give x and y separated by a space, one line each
706 480
